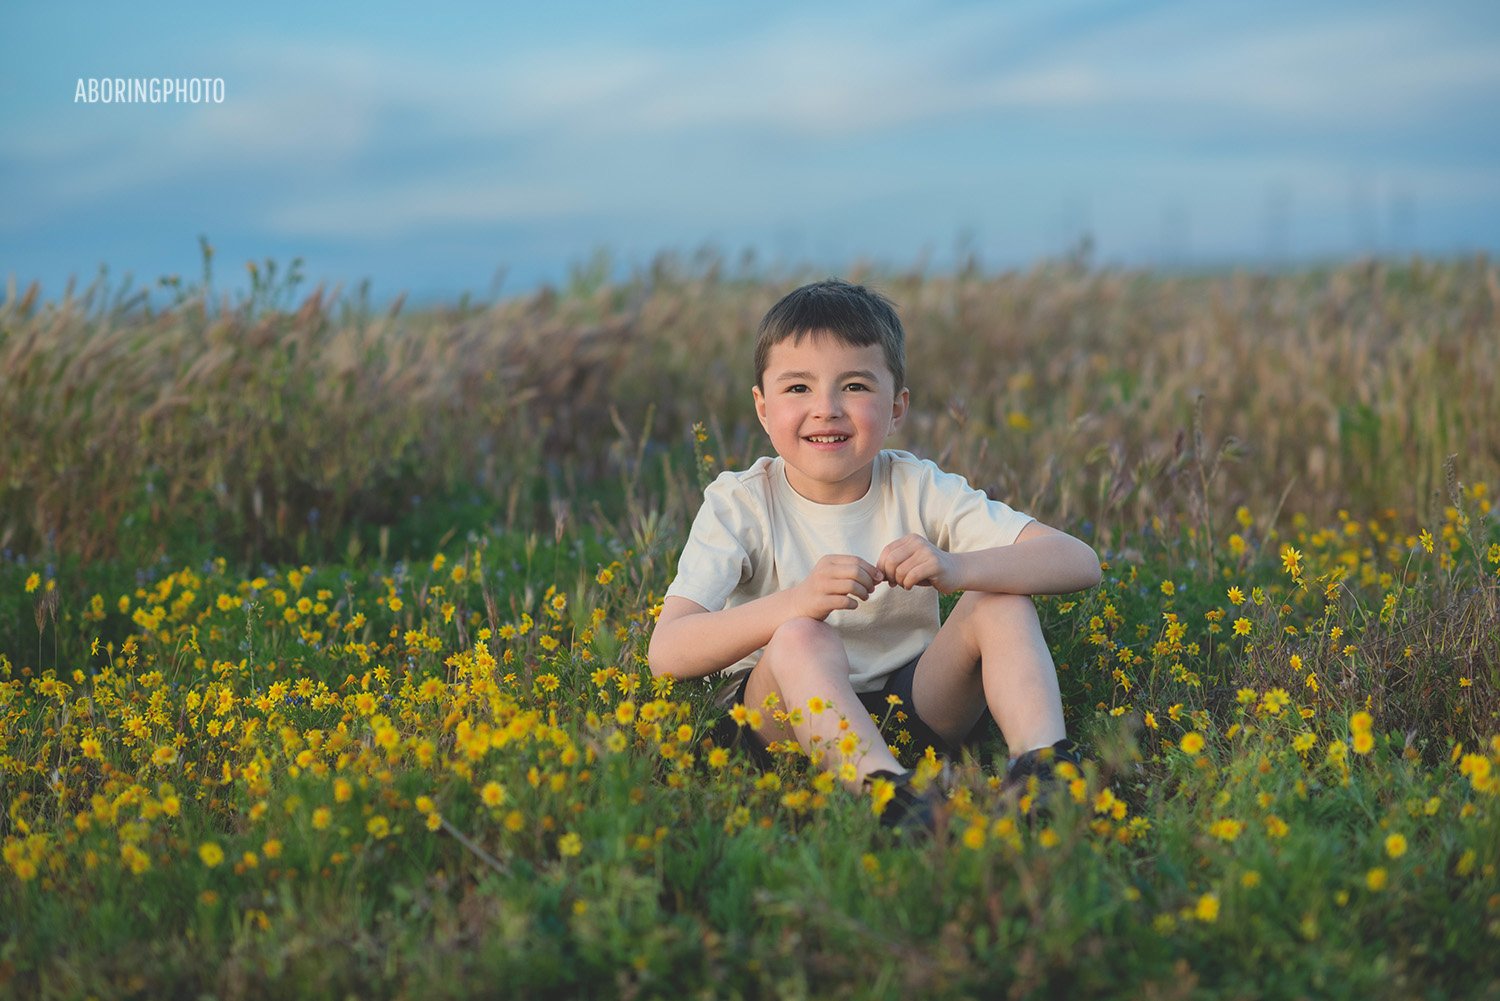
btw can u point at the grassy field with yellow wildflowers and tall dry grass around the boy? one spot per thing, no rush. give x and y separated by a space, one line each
323 631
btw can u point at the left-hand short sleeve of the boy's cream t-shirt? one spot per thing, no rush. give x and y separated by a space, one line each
716 559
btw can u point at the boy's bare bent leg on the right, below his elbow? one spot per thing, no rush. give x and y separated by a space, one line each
992 652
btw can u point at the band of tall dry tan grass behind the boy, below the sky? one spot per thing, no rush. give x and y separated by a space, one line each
1070 391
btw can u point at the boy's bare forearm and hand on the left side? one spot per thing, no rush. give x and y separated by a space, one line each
691 642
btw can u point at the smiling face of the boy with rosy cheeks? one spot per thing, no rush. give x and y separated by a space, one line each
829 409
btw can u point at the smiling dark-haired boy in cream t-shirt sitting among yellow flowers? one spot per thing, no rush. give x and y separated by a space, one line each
815 576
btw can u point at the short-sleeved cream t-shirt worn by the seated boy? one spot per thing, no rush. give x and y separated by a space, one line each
757 537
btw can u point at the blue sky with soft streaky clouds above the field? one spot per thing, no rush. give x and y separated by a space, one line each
430 148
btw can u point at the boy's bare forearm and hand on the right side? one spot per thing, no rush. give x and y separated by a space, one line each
1040 562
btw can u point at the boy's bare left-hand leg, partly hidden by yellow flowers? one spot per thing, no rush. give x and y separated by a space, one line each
806 660
